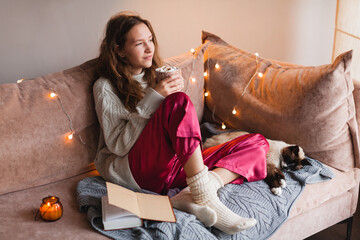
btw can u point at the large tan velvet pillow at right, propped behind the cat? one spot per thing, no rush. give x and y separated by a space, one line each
312 106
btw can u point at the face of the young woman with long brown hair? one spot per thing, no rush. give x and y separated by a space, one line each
139 48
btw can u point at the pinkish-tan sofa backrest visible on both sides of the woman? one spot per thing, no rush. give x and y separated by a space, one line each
35 148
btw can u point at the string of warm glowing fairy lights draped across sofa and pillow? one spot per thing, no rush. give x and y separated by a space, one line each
52 94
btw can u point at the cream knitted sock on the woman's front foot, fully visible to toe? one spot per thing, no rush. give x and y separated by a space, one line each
203 193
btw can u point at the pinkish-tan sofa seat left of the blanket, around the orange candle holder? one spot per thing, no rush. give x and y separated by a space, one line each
18 210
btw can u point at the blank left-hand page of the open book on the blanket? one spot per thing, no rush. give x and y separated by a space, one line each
123 198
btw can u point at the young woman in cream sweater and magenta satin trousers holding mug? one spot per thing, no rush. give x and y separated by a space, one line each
150 135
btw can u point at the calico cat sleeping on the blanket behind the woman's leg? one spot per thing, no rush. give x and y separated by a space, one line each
279 157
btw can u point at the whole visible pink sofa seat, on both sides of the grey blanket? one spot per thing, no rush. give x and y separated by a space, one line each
19 208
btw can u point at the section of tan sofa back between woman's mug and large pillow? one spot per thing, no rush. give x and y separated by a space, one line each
192 69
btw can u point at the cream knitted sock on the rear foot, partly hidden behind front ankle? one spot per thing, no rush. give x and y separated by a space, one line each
184 202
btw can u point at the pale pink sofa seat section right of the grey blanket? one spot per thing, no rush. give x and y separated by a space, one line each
316 194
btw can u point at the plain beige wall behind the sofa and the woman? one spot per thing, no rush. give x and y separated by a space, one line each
44 36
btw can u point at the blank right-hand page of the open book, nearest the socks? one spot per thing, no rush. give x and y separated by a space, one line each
155 207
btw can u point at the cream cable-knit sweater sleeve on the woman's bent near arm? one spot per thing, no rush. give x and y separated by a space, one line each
120 127
